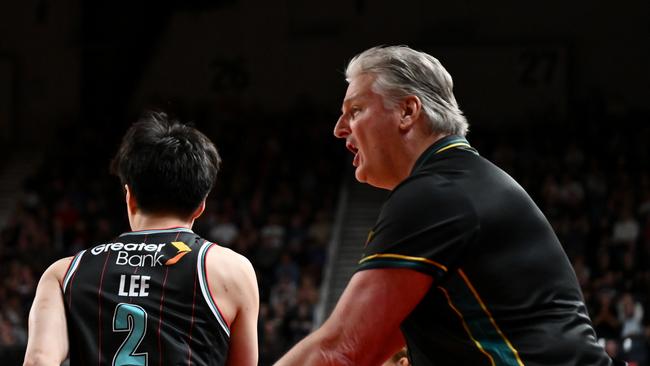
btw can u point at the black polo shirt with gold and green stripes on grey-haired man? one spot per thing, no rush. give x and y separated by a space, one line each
504 291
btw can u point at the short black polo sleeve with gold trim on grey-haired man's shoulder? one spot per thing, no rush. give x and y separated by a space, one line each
425 225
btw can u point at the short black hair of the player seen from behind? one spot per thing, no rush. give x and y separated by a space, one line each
169 167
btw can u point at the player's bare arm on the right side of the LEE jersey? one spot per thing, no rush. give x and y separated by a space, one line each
237 276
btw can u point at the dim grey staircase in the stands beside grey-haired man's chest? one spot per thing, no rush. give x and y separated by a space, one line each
359 206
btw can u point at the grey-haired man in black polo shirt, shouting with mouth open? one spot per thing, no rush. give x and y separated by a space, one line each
461 265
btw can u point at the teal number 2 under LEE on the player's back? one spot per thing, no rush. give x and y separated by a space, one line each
133 319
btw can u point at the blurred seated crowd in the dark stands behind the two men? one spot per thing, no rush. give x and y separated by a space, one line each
275 201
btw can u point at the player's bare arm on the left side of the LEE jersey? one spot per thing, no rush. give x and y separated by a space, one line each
47 343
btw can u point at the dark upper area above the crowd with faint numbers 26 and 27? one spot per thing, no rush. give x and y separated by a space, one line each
100 63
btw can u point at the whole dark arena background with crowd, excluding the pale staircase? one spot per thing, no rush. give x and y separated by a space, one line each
556 93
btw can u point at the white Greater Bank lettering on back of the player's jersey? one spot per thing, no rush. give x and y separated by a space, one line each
148 254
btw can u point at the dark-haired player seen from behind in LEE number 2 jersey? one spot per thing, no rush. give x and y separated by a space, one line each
160 294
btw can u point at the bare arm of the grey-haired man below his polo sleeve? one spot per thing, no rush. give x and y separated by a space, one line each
364 327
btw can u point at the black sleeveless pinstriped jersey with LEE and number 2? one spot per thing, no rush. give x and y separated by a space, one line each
144 299
